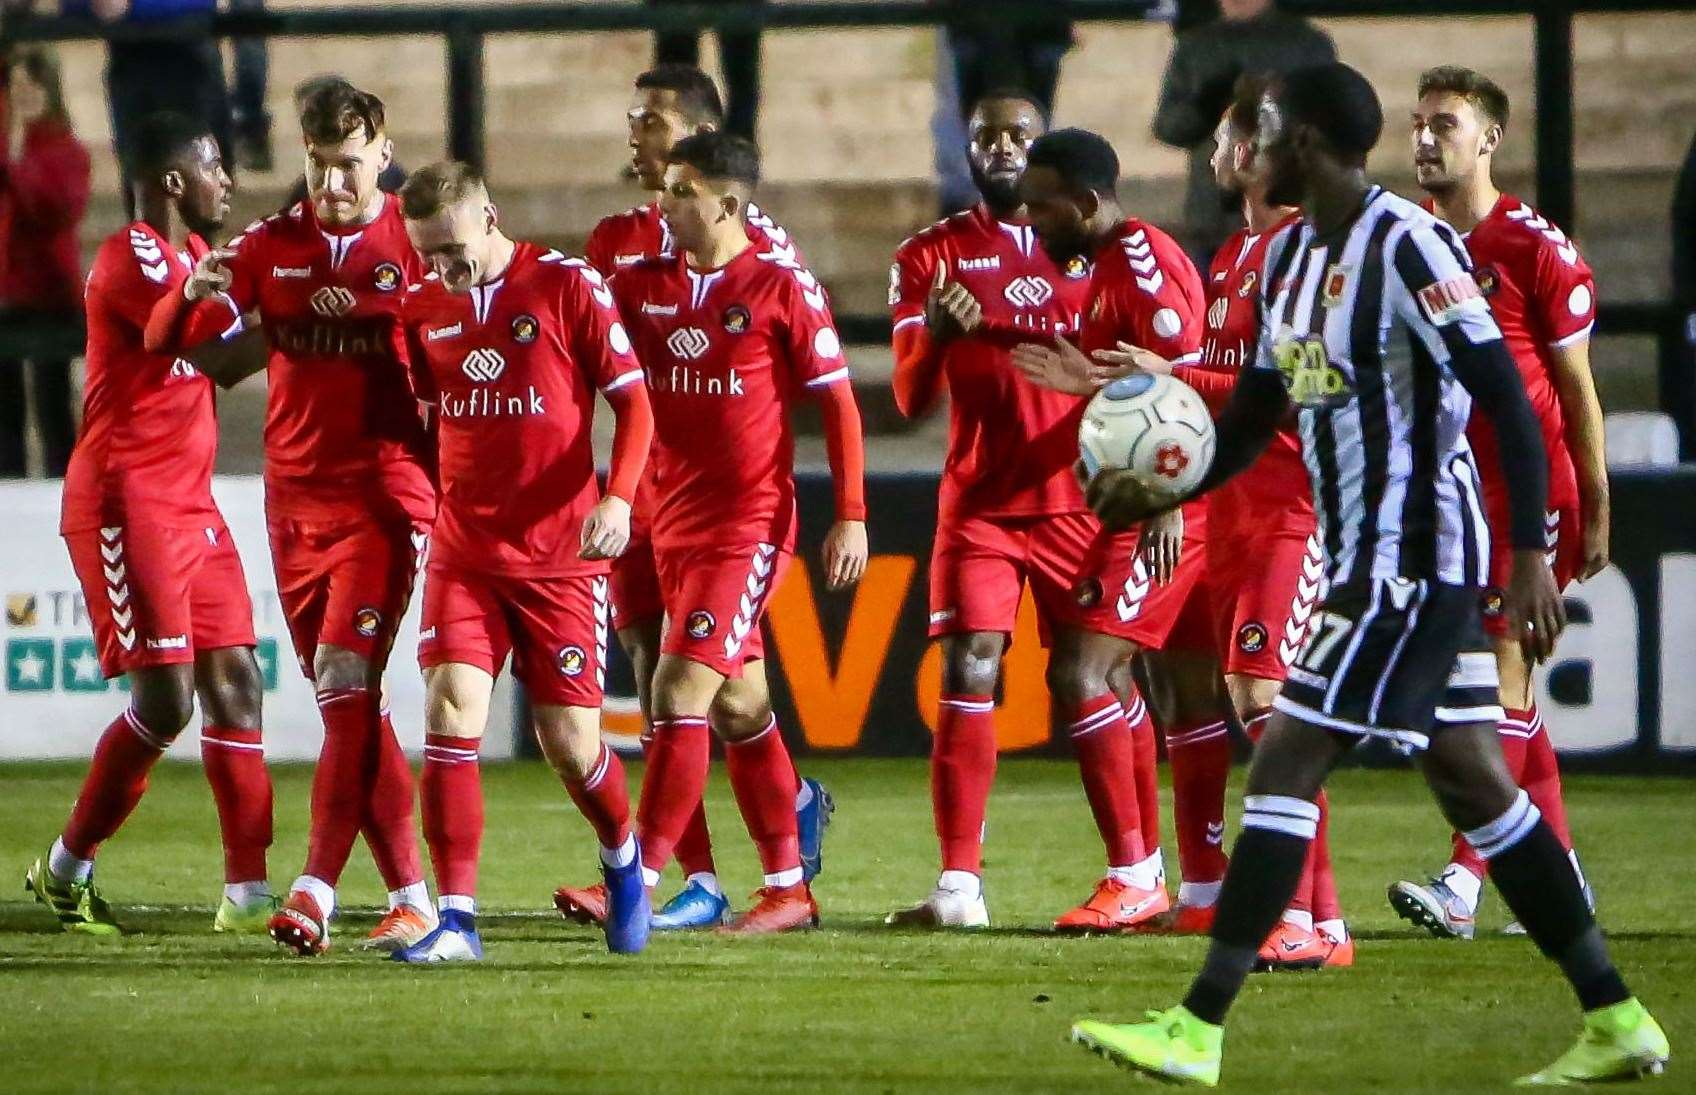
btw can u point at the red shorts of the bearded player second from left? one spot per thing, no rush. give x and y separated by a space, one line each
347 582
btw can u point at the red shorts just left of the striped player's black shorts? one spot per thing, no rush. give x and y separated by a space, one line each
1264 594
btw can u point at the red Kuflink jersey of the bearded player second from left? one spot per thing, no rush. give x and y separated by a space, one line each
343 435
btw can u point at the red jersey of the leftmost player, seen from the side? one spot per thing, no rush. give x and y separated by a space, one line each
150 428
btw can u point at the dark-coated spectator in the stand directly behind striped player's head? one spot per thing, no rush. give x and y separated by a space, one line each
1251 36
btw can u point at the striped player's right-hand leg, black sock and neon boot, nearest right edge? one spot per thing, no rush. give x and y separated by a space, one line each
1529 865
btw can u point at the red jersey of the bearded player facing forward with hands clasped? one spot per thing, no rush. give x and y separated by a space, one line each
1010 442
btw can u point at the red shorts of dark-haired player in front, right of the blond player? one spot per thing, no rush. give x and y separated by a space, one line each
715 603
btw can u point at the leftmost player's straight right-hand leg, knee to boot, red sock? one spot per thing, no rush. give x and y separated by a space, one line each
230 686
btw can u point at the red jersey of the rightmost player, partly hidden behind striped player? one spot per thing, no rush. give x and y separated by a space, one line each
1544 296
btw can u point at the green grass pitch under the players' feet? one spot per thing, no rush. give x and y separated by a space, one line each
847 1009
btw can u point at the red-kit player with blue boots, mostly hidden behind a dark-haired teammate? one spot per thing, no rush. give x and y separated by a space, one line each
671 103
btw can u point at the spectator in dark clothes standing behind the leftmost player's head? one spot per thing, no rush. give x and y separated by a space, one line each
147 77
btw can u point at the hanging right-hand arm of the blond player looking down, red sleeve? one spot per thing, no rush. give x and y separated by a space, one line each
603 350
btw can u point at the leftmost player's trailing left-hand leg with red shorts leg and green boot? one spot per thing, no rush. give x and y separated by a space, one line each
137 586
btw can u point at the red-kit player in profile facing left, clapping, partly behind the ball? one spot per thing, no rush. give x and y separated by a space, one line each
1144 292
